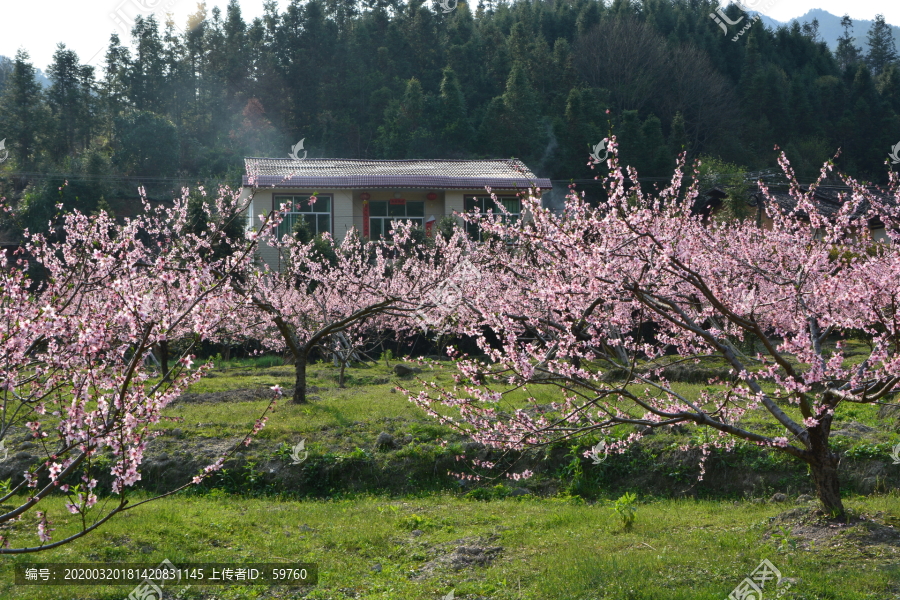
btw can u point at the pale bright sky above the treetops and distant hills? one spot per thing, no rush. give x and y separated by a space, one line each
39 25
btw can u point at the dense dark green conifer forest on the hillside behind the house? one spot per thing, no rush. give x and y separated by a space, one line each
538 79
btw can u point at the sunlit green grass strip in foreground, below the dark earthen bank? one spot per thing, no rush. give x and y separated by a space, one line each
552 549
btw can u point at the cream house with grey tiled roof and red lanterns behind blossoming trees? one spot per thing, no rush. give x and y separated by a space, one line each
368 194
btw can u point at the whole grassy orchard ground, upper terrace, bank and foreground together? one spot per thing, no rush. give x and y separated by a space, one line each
390 524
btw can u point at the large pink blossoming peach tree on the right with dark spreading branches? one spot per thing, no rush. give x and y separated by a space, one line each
571 296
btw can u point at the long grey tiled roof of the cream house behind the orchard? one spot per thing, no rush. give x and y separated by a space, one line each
413 173
